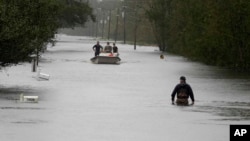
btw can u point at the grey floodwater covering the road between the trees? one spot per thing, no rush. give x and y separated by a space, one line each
126 102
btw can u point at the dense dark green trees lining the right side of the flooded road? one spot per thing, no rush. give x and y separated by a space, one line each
211 31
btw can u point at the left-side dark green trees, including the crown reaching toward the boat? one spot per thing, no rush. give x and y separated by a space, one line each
27 25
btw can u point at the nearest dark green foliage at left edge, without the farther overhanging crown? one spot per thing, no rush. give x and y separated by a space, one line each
24 26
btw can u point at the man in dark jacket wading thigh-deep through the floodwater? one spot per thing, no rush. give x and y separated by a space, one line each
183 91
